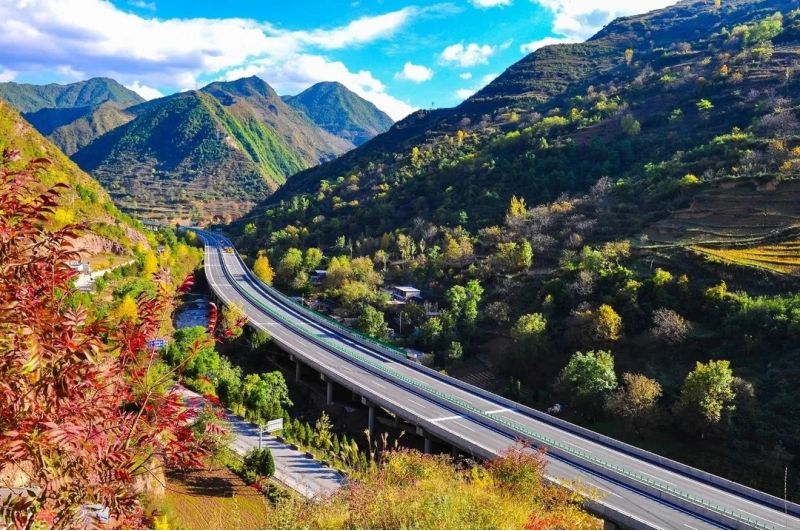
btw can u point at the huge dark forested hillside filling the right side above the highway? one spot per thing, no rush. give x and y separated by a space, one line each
608 225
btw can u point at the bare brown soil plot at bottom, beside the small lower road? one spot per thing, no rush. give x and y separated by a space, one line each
215 499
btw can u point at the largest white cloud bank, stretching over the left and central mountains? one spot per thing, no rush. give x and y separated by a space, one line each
96 38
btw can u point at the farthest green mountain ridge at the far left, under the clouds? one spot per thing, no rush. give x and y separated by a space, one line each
31 98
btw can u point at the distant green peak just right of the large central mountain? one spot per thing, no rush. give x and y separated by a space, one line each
341 112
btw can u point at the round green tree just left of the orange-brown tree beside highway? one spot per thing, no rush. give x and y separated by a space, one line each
589 378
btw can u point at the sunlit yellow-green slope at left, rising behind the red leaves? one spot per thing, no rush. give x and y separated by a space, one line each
111 232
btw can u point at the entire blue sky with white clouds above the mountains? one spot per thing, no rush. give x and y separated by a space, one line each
399 54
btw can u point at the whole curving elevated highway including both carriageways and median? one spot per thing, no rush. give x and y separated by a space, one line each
638 491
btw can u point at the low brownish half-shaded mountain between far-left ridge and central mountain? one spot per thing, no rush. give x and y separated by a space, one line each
74 128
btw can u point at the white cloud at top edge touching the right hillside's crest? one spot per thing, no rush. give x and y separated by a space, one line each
580 19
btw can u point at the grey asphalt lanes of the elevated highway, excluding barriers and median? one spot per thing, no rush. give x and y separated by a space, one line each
469 432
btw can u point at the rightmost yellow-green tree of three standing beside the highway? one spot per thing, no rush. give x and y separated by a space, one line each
708 394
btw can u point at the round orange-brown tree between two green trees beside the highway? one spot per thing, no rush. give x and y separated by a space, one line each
636 401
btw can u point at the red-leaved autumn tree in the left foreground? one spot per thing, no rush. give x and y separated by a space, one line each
85 405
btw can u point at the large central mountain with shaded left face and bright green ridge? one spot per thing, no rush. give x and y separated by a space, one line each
208 153
